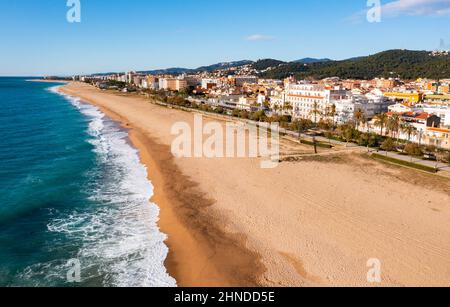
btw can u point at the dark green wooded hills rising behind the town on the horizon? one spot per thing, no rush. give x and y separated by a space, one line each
407 64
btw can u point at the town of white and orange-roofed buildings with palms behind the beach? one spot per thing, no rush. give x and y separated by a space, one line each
409 111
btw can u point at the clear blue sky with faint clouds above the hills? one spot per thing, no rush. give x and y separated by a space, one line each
119 35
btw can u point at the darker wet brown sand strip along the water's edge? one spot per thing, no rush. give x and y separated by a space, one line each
192 236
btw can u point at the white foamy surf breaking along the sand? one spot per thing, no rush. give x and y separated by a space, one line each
121 242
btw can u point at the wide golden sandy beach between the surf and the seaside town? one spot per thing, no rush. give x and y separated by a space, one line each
314 222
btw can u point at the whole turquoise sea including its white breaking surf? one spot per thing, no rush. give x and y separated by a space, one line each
72 188
